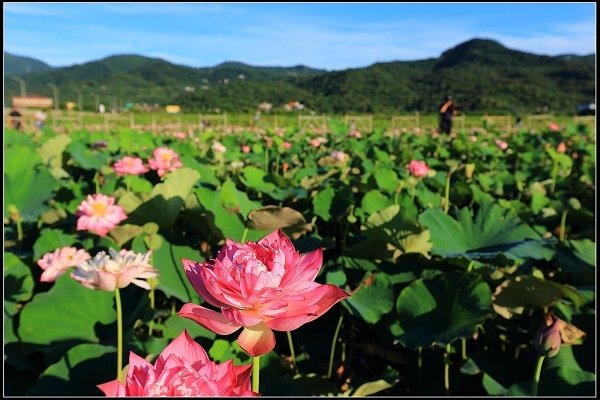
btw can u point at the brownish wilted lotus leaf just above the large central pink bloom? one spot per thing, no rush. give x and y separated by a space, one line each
271 218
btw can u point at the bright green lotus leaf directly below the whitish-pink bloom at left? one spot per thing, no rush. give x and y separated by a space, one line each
67 314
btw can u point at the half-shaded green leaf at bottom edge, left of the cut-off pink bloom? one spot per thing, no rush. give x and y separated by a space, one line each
78 372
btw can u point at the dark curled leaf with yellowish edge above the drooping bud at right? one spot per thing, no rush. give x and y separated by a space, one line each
513 296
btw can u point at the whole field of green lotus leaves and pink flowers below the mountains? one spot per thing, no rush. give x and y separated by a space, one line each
300 263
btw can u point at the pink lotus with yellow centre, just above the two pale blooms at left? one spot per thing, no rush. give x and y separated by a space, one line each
99 214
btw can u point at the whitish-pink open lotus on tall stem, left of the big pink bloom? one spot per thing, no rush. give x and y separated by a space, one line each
118 270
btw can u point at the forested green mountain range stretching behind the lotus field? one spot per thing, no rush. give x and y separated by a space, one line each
482 75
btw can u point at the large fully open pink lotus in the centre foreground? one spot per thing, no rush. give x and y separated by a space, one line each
261 287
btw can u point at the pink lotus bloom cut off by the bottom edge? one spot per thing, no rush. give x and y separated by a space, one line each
182 369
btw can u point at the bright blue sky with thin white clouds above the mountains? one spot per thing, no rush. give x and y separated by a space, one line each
320 35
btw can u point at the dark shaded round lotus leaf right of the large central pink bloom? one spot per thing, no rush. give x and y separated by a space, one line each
442 309
